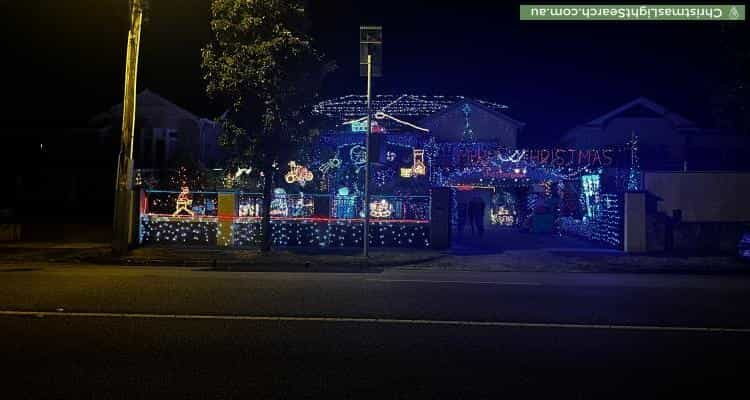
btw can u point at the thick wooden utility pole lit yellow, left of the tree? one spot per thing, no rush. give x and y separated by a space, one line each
124 196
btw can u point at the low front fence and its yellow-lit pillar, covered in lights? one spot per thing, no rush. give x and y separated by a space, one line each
311 220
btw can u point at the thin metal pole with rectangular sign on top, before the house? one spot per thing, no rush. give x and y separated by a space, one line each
371 64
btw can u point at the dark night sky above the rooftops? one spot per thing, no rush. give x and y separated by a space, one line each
63 60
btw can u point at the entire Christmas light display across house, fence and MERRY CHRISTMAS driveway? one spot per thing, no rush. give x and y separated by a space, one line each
330 213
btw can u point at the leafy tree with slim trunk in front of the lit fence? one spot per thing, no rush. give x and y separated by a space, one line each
263 67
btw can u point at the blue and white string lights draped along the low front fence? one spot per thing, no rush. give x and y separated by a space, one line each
293 222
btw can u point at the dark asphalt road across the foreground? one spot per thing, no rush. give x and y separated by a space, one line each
82 331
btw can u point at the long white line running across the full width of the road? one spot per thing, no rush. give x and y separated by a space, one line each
504 324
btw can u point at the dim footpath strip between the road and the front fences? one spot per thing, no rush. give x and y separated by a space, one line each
345 260
